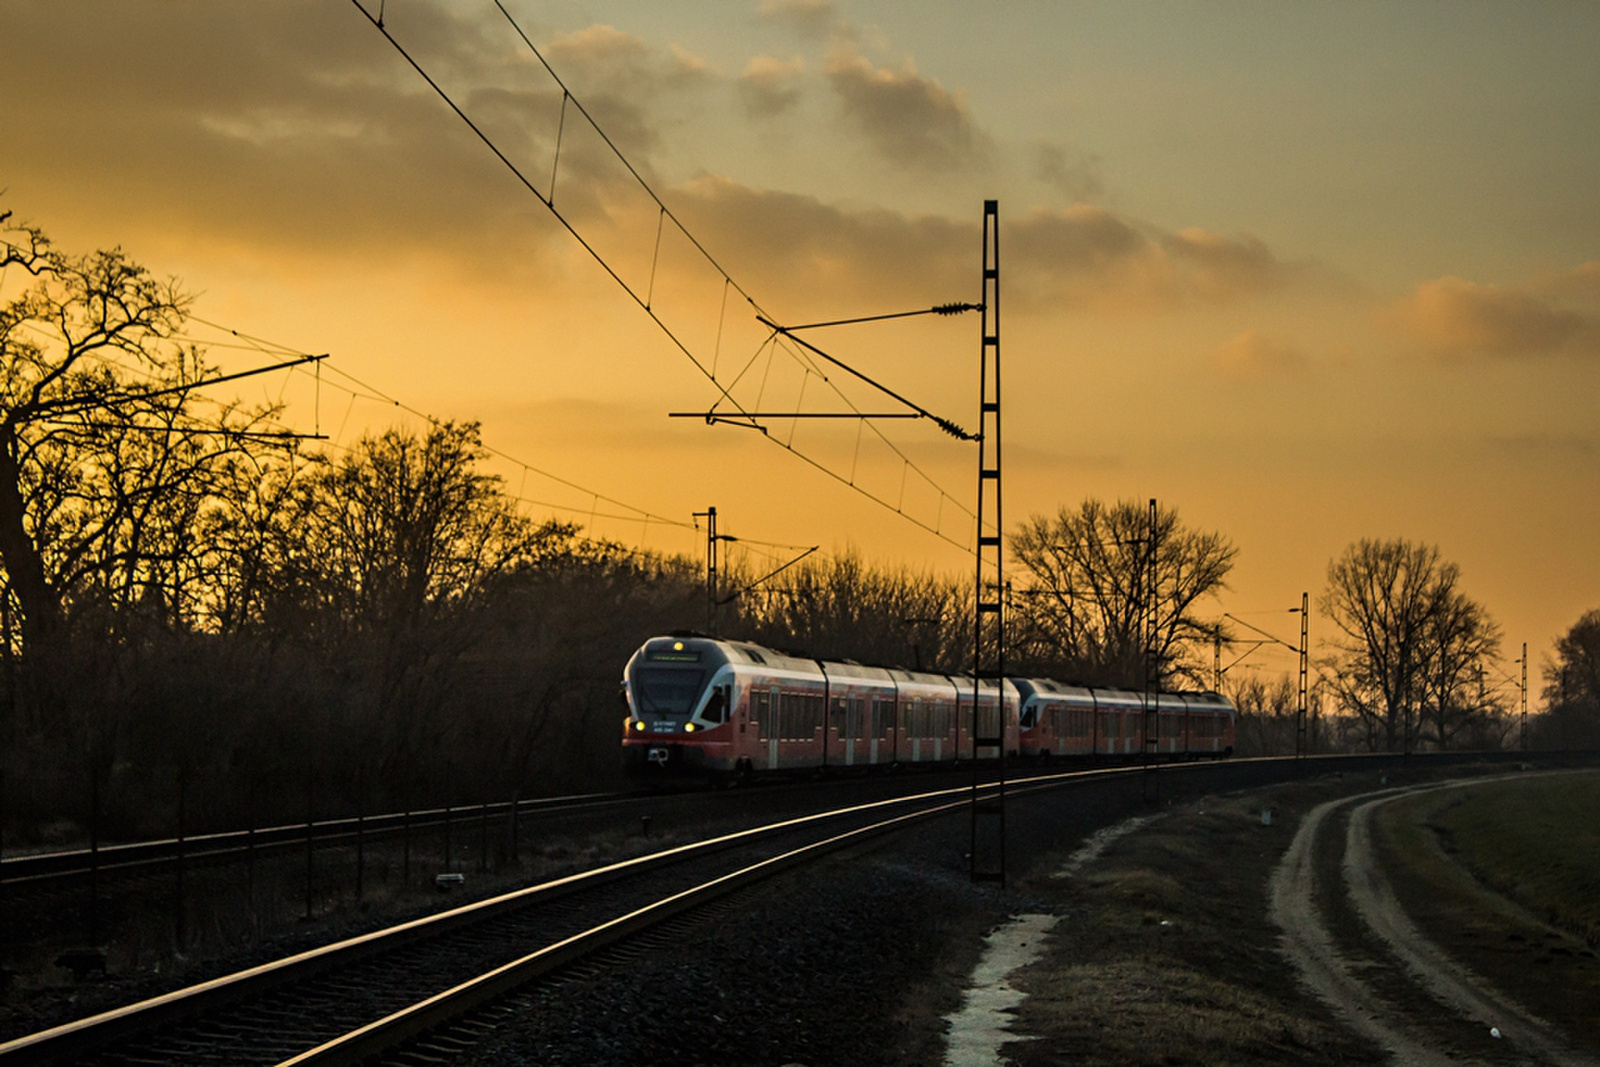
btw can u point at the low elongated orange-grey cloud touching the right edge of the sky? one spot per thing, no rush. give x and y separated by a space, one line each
1455 318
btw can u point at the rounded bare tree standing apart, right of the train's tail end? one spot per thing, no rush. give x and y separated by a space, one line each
1414 645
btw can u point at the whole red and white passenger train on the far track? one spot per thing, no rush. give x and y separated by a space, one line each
729 709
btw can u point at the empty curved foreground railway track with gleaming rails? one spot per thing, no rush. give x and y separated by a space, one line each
350 1001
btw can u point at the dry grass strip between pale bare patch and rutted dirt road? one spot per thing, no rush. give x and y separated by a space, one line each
1166 954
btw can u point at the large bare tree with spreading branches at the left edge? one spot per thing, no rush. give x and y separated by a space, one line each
108 455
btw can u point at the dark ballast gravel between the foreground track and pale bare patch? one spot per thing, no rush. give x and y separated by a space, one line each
852 962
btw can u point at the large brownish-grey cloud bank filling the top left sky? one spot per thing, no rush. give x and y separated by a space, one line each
297 129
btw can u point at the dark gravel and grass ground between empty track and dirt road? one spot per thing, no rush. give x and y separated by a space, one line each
1164 956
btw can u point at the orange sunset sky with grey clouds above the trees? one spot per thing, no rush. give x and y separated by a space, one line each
1306 273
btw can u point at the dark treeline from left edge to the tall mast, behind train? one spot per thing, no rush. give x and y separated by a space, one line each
207 623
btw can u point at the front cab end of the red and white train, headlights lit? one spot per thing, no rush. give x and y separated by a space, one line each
679 693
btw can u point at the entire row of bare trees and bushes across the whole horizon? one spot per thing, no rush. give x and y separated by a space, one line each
207 623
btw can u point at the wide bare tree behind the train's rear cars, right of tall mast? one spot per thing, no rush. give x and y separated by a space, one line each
1098 577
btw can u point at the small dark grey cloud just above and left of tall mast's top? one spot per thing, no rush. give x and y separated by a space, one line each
910 119
